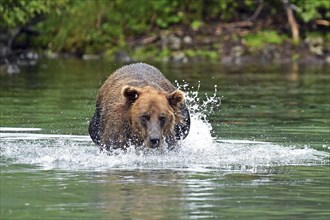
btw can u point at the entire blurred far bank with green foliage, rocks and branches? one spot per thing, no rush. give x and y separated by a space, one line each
231 32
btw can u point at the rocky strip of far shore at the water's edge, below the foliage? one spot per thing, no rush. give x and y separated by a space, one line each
236 43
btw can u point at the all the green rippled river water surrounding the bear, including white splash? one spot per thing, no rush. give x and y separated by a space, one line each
263 153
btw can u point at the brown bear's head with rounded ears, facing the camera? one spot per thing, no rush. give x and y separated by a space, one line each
153 114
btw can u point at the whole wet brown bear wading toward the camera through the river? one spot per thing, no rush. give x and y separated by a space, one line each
138 106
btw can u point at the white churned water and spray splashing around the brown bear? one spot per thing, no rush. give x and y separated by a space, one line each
199 152
